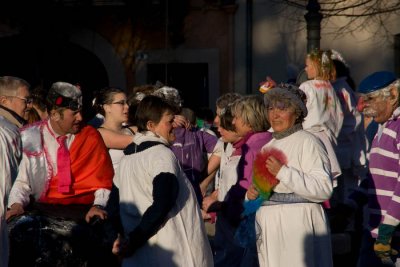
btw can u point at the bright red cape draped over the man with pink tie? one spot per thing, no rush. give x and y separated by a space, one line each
91 169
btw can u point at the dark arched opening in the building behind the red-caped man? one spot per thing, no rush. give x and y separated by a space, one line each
42 63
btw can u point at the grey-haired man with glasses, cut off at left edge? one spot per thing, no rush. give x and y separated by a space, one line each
14 93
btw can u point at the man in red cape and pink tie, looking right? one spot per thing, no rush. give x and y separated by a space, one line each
66 168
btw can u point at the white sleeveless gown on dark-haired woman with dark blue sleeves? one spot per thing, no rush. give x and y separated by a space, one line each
182 240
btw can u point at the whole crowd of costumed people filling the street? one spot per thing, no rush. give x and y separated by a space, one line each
278 172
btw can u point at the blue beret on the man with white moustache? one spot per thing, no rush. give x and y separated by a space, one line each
376 81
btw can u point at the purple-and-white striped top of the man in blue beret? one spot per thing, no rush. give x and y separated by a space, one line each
384 190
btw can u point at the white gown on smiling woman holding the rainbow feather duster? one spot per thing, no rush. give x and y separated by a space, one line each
297 233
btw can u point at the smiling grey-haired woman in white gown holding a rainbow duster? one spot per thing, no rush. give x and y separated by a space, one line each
291 224
